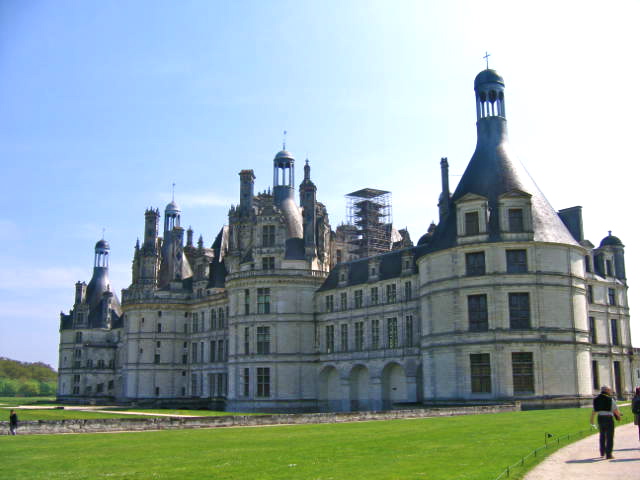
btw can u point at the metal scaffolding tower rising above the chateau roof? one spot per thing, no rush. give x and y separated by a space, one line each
369 210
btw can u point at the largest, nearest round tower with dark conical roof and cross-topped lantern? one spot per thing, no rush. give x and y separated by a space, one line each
507 252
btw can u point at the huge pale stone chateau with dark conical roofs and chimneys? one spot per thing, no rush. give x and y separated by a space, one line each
503 300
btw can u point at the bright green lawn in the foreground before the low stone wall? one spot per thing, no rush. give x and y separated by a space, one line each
462 448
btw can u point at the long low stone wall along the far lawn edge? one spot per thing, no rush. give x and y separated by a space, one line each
172 423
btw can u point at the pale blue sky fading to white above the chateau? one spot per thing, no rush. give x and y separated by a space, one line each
105 104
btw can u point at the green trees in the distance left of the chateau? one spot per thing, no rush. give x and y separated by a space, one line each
26 379
